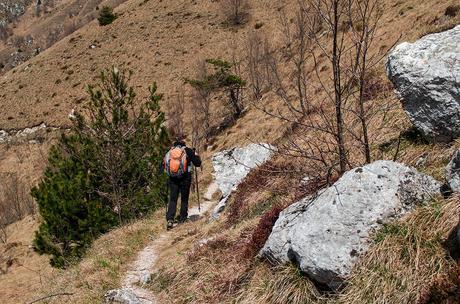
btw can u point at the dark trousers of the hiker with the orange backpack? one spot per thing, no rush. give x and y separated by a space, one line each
176 187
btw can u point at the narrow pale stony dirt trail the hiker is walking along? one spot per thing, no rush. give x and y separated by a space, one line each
140 270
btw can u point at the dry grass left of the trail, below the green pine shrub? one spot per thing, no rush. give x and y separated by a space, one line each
101 269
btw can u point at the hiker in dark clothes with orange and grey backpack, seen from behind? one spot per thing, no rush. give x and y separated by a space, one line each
178 165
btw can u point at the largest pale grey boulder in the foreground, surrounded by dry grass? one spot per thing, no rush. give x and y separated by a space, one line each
325 234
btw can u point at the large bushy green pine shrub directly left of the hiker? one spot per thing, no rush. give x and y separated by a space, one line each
105 172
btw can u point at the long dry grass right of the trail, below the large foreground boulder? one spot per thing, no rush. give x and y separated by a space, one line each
406 258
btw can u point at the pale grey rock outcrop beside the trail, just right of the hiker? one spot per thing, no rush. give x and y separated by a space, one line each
232 166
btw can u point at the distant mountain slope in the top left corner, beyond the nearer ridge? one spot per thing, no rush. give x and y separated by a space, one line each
29 27
